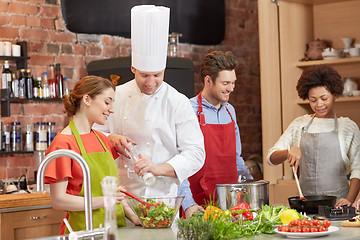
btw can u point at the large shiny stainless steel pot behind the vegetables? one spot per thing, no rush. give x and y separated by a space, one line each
255 193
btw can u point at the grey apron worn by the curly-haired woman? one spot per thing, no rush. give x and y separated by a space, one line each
322 169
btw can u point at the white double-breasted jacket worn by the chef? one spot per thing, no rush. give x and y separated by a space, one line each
166 130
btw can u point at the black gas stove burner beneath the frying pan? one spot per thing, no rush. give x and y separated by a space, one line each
333 214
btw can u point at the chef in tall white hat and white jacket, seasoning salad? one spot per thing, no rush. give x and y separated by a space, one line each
154 115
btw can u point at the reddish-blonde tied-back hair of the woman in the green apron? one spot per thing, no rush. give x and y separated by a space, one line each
89 85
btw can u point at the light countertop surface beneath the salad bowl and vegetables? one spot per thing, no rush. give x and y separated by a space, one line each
138 232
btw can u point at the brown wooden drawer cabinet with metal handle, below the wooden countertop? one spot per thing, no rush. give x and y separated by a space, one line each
30 224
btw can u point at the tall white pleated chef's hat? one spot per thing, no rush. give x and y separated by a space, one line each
149 37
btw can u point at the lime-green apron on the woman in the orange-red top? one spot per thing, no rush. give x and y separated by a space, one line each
101 164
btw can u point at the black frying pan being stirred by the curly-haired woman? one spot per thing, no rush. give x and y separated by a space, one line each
311 204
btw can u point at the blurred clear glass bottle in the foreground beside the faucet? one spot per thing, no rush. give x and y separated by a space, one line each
109 185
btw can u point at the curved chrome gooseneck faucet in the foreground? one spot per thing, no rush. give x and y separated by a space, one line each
87 179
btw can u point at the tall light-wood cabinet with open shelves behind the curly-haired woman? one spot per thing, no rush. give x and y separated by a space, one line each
285 26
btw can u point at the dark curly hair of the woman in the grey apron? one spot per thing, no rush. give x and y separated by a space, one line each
317 76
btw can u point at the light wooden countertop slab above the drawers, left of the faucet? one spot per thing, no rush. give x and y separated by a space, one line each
24 199
